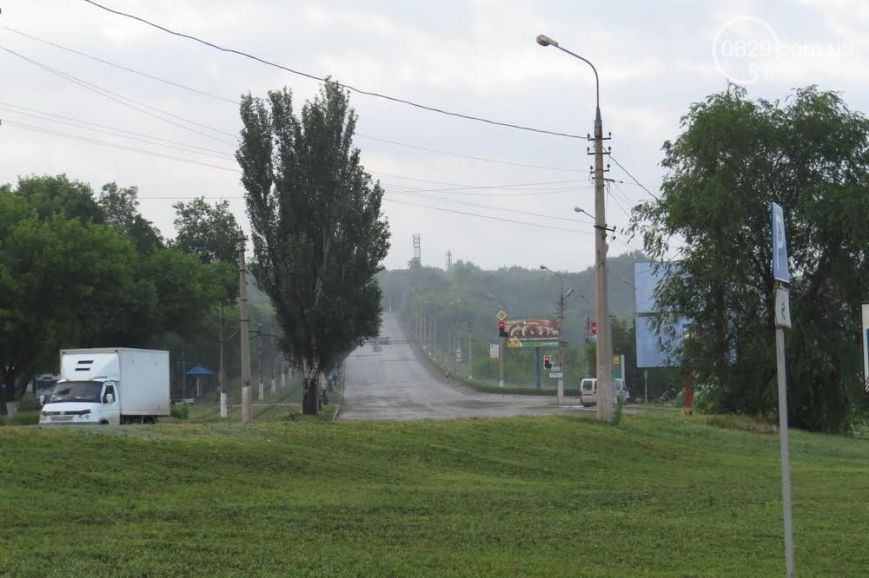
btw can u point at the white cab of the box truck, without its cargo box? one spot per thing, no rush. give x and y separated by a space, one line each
82 402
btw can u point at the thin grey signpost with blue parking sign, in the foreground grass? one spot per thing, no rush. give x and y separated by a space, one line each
782 320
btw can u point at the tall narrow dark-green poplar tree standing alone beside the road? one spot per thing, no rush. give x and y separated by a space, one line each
318 234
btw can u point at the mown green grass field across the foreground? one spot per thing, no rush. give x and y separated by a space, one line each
659 495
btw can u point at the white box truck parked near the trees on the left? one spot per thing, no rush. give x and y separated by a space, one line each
114 386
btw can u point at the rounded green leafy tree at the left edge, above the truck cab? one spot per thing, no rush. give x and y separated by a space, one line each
59 277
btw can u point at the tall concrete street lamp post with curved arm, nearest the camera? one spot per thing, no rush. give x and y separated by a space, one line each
605 410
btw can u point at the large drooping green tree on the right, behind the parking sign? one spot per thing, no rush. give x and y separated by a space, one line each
732 159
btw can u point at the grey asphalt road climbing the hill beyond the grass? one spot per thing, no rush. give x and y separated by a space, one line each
392 384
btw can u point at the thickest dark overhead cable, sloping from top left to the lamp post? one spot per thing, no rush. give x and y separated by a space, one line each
323 79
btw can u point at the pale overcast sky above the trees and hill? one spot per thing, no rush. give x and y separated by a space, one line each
491 195
